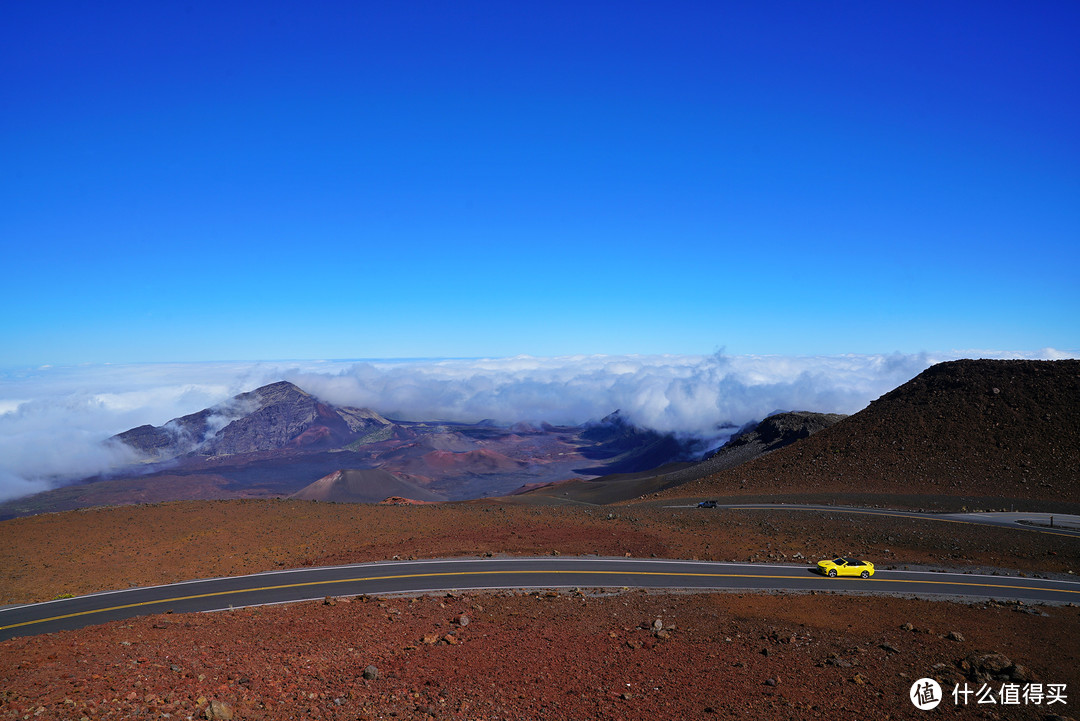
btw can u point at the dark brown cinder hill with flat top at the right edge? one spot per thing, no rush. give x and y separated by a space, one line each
980 429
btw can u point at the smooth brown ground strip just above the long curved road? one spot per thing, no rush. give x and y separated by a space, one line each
43 557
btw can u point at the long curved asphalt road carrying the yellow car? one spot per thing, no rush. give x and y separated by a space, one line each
460 575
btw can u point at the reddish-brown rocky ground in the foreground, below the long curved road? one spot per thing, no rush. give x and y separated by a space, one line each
547 656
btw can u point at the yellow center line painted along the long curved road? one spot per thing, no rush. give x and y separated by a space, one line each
468 574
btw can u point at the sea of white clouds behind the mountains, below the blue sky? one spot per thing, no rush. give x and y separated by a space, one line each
56 421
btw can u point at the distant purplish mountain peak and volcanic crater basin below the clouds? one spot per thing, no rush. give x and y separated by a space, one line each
279 440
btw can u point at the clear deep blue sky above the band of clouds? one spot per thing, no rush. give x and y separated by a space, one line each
212 181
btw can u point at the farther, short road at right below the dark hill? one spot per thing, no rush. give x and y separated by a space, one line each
1039 523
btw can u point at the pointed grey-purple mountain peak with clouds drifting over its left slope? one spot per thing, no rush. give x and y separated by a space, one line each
272 418
